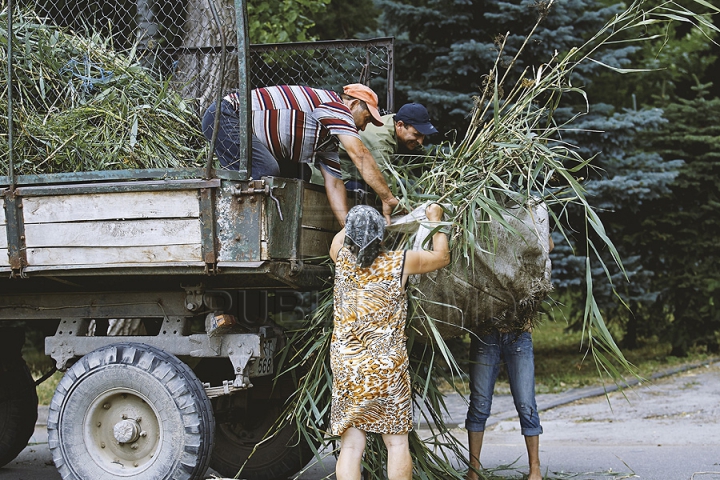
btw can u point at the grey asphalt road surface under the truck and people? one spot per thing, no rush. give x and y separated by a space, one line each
666 429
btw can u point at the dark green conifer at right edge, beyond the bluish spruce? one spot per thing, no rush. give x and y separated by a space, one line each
680 236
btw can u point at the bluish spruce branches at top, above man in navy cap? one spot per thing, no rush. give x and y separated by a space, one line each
444 48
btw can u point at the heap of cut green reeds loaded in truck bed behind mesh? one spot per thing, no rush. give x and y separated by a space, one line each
79 105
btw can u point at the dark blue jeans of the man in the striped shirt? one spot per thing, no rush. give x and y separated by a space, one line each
227 147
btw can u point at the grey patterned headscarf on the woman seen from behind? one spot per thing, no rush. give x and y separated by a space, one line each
364 229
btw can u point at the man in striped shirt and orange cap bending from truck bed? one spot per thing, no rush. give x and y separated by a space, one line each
295 125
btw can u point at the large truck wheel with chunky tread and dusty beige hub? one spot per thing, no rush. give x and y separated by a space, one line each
130 411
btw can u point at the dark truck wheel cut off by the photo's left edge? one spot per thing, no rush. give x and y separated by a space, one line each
18 408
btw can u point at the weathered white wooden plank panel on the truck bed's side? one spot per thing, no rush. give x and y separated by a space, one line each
112 228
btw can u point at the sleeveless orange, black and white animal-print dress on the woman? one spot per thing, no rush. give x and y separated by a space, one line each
368 354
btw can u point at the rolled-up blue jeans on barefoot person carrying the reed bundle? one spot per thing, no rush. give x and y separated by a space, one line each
486 355
